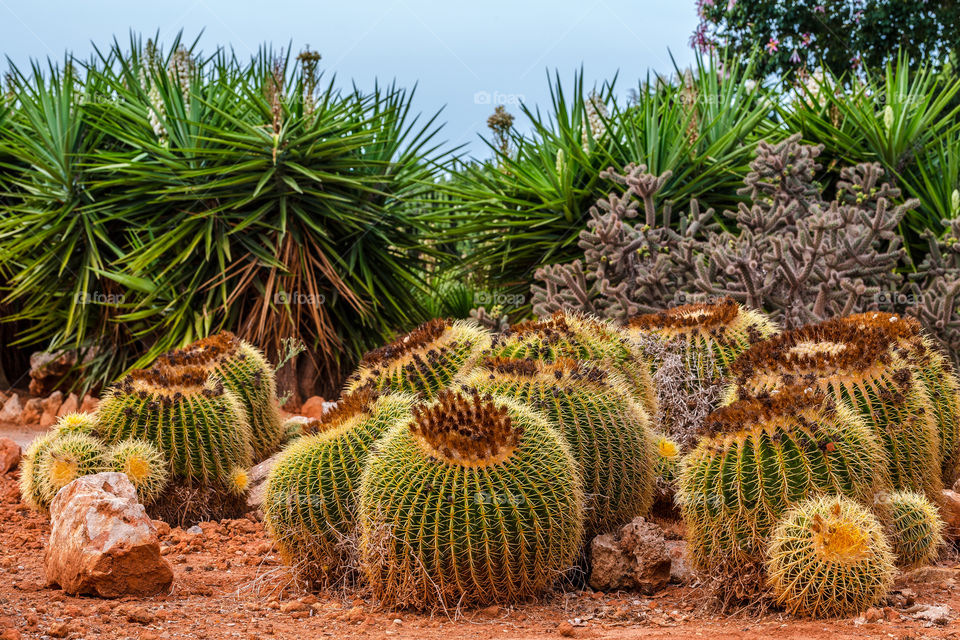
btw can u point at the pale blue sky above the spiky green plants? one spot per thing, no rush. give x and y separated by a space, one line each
462 56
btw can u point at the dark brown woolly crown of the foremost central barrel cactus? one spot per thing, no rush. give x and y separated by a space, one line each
467 430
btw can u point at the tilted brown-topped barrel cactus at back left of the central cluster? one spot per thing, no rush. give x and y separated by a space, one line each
424 361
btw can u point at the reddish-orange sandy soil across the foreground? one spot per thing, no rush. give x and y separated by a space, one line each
230 584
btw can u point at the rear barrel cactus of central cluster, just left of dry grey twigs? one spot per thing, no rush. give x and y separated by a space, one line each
570 336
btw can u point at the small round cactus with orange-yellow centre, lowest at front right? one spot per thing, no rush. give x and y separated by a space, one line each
828 557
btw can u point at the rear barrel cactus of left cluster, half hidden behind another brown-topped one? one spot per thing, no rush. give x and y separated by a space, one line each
246 372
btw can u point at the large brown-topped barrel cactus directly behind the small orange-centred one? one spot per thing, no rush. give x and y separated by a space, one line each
760 456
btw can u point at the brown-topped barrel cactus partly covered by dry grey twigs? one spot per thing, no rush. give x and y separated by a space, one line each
711 335
